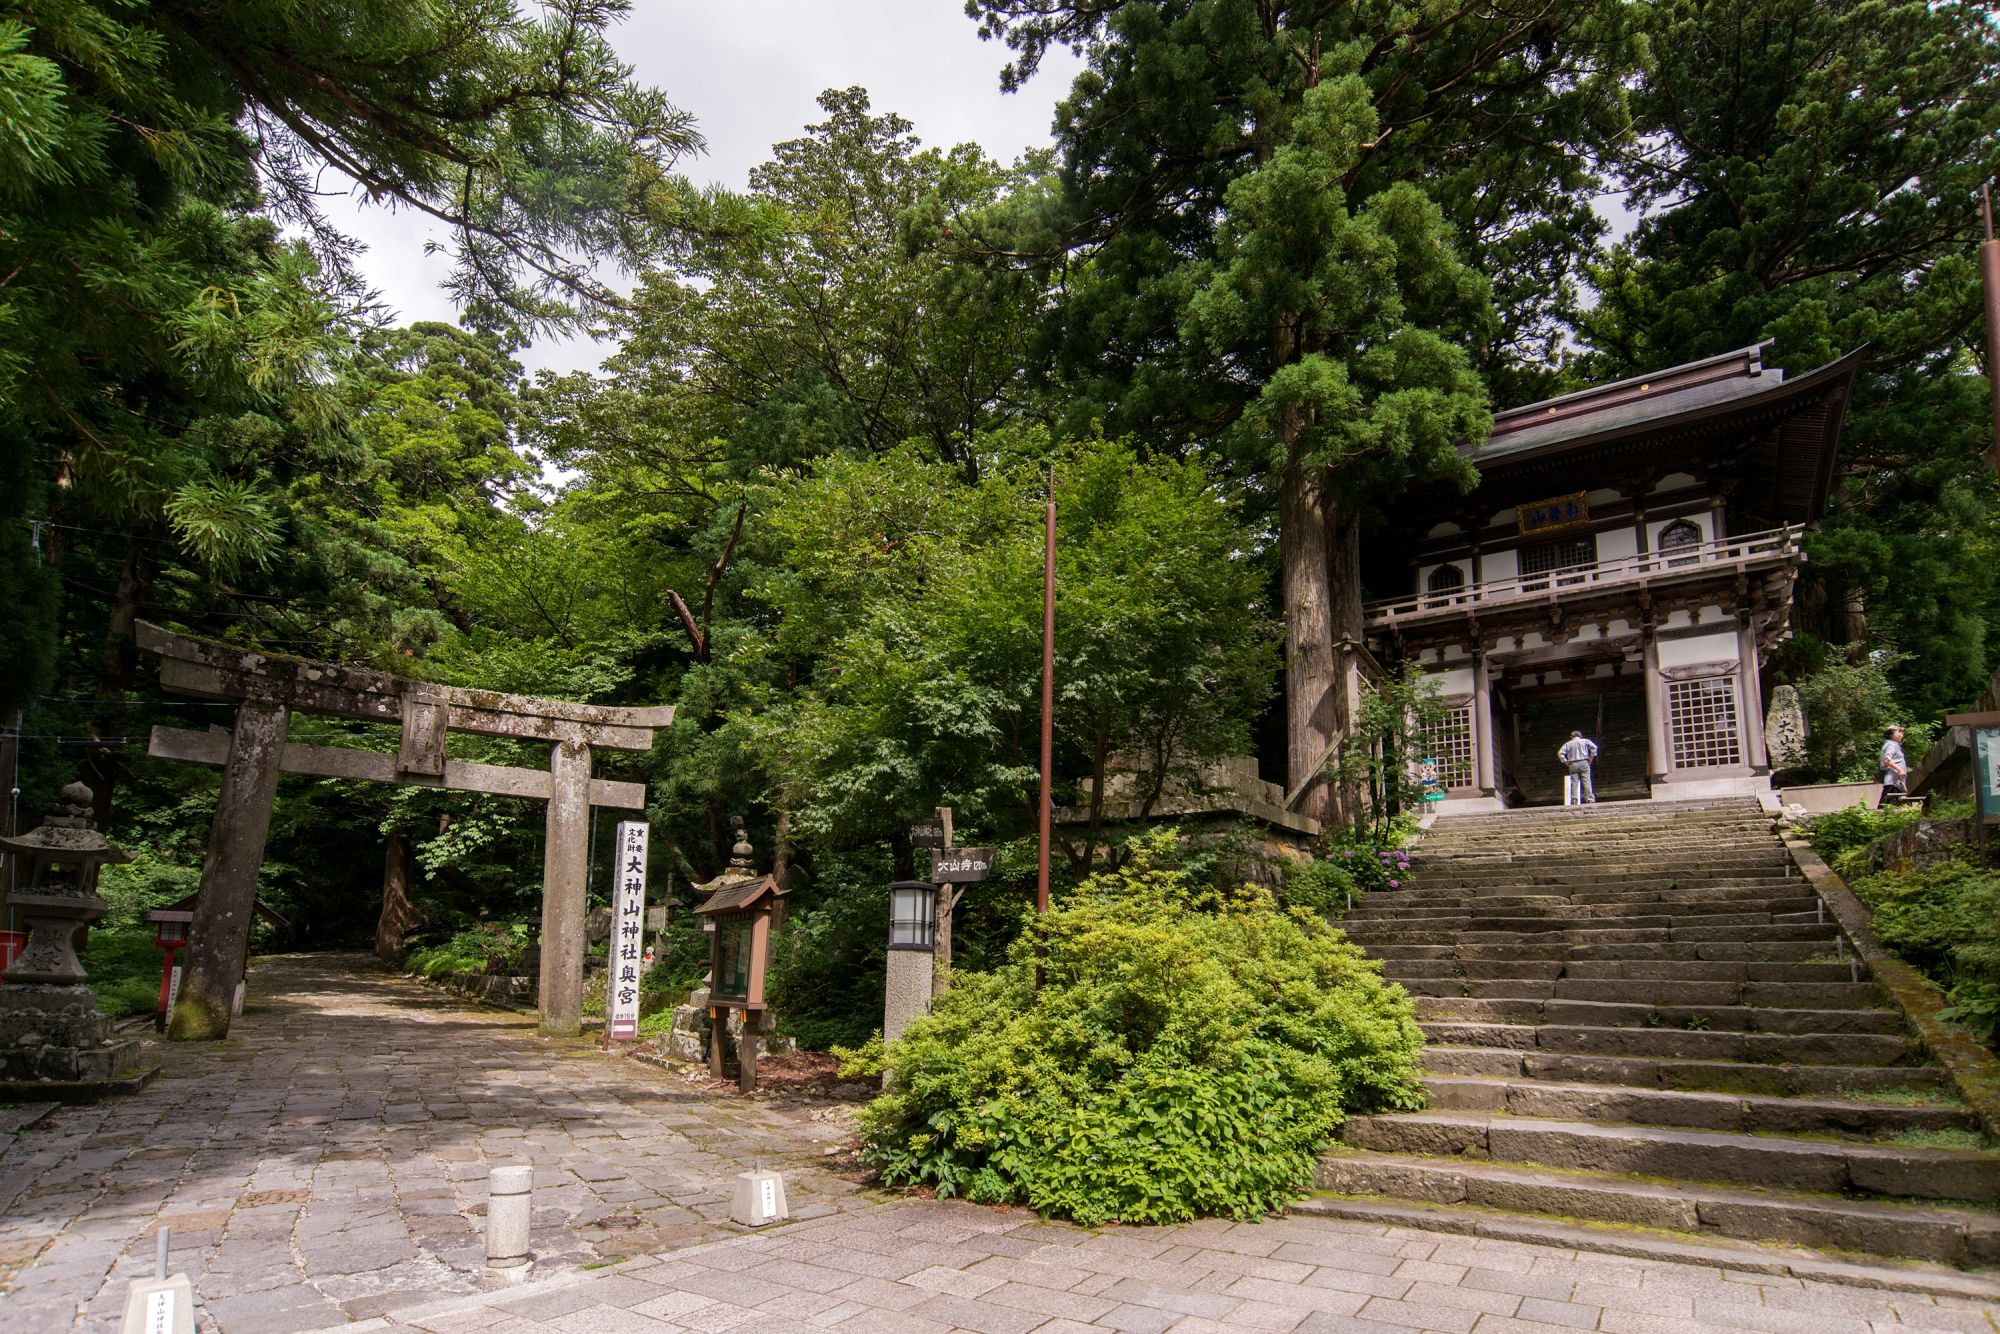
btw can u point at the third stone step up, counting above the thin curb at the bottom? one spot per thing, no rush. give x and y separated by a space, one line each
1697 1111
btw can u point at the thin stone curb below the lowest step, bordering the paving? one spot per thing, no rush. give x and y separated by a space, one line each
1707 1253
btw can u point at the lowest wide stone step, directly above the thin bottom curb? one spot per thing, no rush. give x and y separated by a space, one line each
1787 1217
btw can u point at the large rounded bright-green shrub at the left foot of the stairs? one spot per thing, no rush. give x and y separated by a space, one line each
1191 1053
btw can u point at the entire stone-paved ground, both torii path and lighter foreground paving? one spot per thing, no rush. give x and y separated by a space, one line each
327 1169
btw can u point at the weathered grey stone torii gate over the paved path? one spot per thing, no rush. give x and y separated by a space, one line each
257 751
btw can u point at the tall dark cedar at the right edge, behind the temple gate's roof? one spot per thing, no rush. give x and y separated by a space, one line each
1809 173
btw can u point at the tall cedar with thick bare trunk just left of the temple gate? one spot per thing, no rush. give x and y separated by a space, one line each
1275 219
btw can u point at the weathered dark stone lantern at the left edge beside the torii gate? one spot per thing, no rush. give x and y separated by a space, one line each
51 1029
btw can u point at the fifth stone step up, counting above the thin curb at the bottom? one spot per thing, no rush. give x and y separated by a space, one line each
1811 1049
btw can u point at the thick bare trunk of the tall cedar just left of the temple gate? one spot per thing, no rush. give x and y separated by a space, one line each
1311 675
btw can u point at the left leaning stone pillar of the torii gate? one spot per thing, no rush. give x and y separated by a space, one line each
221 947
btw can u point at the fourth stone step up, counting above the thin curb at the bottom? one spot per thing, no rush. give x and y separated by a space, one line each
1735 1077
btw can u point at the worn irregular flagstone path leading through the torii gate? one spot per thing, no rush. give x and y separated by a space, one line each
329 1161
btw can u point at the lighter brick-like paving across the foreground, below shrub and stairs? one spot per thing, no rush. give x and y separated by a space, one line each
917 1269
